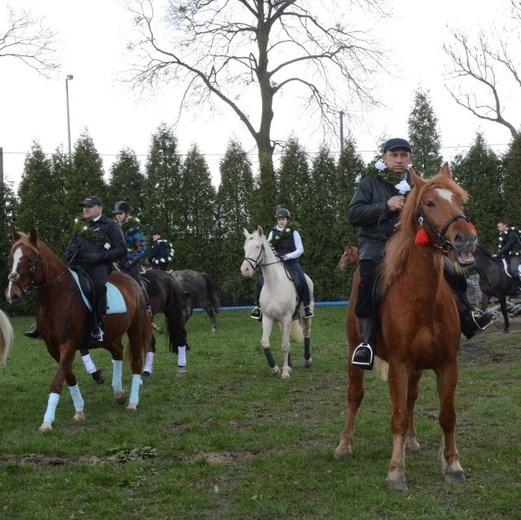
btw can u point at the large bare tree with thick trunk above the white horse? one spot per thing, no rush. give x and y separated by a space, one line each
246 52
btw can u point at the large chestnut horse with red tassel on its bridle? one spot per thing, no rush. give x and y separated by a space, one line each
419 322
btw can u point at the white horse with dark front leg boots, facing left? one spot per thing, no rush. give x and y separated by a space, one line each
278 301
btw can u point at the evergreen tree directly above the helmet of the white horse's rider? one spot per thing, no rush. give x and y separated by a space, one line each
294 179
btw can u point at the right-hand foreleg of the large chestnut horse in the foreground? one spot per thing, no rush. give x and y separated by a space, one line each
446 383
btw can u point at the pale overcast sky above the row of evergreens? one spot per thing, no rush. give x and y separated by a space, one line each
92 39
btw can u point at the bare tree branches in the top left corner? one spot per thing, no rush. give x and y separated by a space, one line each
24 37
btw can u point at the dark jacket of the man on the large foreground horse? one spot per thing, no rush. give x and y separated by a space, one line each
368 210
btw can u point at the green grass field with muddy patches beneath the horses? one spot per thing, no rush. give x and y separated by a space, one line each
229 441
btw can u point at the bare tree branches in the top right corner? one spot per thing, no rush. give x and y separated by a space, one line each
484 75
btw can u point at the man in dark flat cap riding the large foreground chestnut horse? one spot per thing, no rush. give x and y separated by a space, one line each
375 209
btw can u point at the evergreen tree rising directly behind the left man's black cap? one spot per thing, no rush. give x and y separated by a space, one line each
85 177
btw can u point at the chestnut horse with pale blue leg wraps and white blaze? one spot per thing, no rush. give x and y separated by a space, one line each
63 319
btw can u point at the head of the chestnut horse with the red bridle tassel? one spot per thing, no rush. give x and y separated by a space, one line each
435 216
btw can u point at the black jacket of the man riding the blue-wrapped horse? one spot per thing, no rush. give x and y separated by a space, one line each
83 251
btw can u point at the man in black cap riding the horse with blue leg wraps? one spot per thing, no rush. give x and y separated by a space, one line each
96 243
